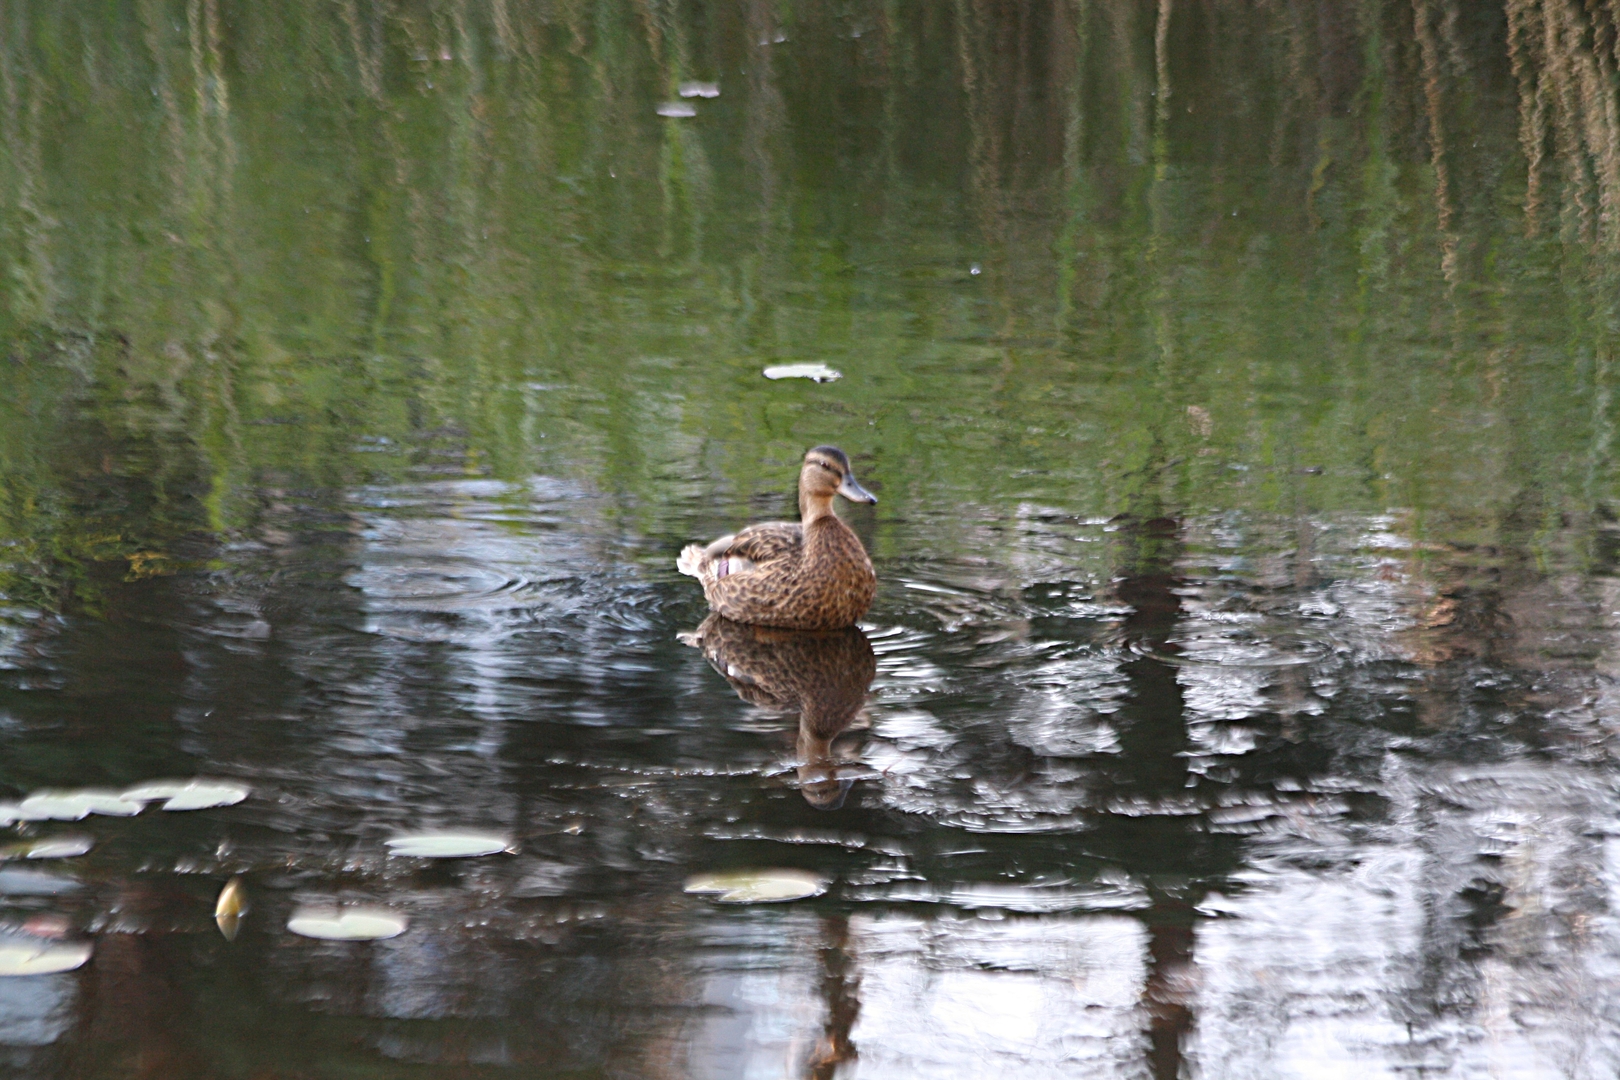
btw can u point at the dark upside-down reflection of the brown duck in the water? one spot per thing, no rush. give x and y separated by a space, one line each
819 674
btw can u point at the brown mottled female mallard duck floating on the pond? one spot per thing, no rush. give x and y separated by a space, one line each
801 576
